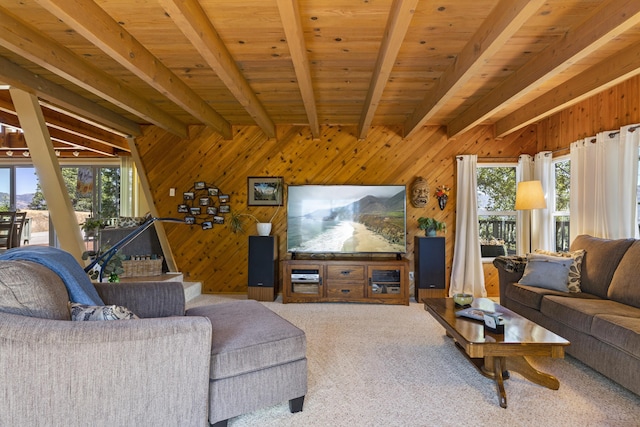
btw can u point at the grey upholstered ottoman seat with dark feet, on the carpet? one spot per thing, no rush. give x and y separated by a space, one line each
258 359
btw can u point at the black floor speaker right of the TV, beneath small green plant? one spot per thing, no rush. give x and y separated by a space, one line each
429 260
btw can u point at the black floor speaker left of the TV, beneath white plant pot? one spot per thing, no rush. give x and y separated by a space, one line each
263 261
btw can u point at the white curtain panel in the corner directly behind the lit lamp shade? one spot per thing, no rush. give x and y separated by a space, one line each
542 229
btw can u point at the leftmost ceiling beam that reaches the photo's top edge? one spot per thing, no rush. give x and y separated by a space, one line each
109 36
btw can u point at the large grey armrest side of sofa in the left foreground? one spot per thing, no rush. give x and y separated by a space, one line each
124 372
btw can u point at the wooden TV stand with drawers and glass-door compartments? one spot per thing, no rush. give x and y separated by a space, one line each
382 281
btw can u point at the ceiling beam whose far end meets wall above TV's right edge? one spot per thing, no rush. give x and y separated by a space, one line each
505 19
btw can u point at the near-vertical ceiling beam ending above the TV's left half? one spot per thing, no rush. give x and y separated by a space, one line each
290 17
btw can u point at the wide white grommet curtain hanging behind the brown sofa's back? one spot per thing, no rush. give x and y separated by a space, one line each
604 178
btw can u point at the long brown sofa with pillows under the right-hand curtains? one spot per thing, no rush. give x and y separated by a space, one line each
602 322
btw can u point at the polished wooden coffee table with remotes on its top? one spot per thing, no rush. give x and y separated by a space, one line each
494 355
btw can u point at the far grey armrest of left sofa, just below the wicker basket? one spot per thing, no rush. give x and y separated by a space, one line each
145 299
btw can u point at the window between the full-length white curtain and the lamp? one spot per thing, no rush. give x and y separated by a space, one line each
496 209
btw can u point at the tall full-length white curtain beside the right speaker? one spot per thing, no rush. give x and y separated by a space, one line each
466 273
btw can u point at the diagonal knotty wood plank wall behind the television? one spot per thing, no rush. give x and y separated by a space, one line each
218 258
